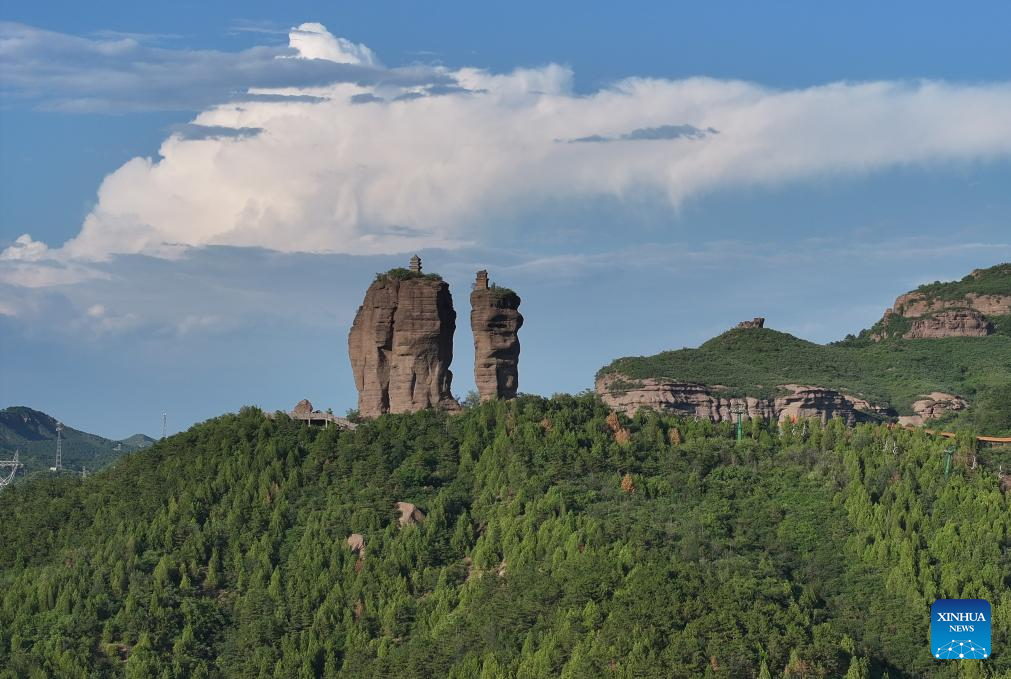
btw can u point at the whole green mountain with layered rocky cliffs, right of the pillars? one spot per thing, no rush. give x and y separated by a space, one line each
942 353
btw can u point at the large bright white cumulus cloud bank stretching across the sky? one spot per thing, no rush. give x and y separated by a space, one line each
395 165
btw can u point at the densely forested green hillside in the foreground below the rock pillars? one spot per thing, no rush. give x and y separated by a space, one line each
559 541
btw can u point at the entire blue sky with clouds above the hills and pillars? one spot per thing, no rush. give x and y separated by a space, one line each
195 245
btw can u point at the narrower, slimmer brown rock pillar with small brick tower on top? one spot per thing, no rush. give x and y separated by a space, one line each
496 322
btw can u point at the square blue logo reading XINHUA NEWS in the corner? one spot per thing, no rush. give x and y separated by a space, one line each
960 630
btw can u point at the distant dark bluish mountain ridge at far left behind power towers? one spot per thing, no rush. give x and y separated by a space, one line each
35 435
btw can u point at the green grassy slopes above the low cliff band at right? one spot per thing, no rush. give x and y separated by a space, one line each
895 372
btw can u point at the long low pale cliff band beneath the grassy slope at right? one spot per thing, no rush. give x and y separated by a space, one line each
628 396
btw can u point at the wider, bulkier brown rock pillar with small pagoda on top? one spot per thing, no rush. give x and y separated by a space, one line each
402 345
